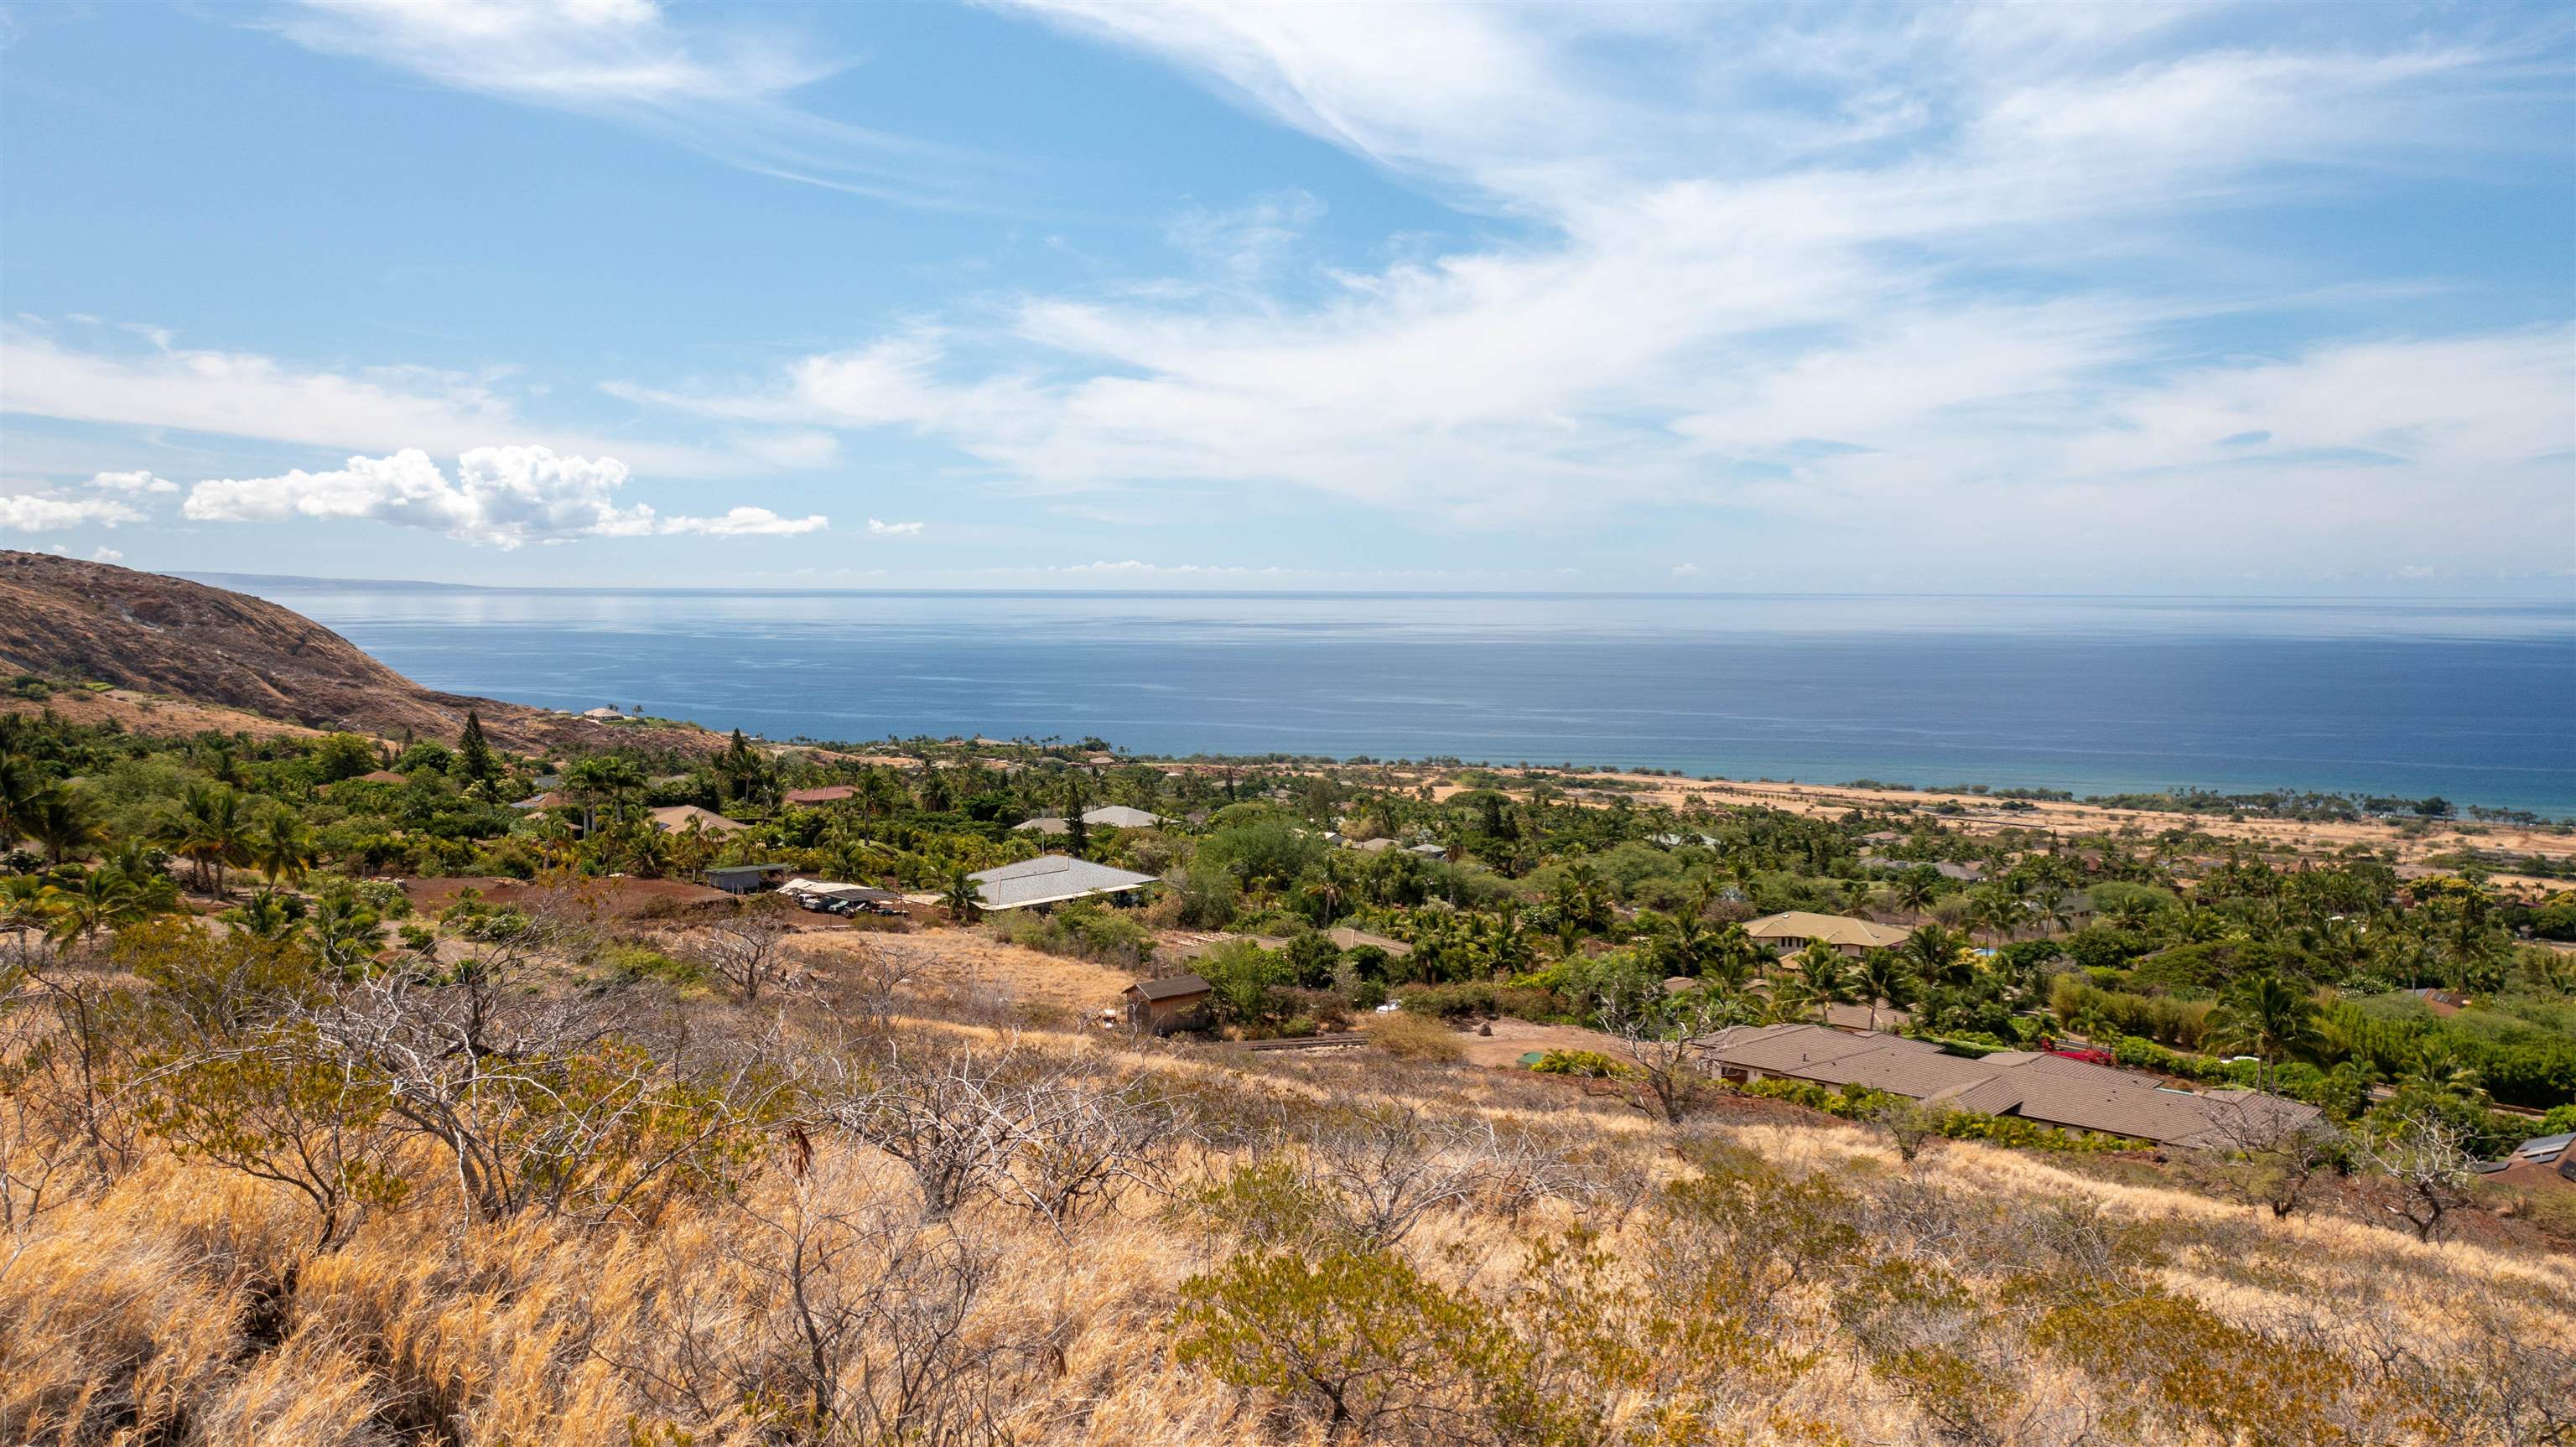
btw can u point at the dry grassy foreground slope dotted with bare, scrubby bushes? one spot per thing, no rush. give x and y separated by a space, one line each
1498 1258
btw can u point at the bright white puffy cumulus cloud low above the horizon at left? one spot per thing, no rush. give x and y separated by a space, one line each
501 498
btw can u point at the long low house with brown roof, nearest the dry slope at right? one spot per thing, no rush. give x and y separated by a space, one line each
2031 1085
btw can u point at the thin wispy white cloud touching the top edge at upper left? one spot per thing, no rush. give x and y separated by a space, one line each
715 86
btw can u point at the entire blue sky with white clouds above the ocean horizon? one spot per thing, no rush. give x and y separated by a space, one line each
1964 300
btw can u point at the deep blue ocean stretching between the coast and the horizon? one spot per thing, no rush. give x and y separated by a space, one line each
2474 702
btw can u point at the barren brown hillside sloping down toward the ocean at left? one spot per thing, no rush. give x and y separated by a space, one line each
153 635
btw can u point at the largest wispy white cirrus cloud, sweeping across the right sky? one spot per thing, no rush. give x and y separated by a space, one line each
1931 285
